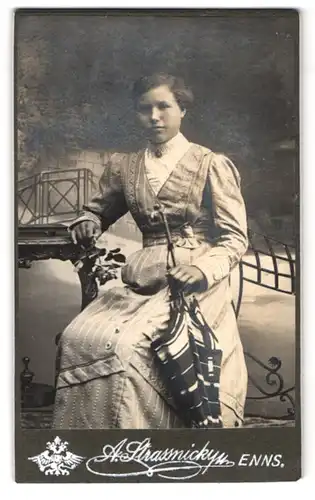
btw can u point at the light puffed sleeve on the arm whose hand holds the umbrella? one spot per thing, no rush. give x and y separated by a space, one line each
229 218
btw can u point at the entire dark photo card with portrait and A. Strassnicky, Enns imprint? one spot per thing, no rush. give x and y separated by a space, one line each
171 138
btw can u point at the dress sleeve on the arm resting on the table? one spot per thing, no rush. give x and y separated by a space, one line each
107 203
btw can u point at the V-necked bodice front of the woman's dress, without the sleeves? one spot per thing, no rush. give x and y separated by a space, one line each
180 196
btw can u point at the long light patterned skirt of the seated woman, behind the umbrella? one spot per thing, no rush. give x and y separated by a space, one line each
107 375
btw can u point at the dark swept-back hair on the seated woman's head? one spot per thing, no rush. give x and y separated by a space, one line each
182 94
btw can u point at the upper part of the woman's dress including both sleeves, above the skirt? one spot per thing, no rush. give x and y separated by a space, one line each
201 199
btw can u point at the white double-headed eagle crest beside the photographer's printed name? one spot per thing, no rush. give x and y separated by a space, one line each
56 460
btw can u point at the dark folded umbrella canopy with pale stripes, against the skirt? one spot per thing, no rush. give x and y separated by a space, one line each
191 364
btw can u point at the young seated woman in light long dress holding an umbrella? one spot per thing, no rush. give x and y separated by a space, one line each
108 375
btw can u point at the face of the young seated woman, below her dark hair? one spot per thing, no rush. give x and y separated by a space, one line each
159 114
